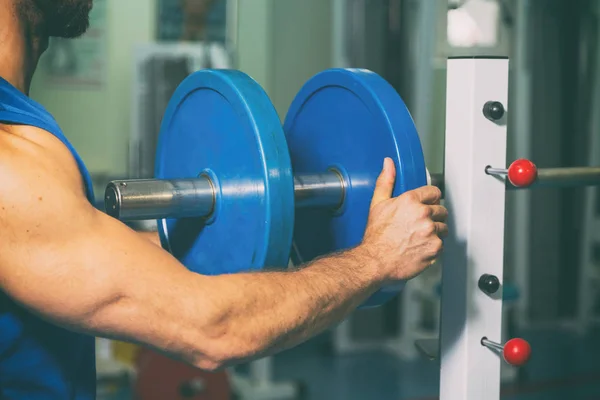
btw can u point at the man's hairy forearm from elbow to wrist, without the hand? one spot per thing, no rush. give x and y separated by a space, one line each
263 313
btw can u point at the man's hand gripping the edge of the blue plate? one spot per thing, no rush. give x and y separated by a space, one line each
404 233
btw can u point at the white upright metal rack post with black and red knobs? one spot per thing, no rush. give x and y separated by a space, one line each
475 246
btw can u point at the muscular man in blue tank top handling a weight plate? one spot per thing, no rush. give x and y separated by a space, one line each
69 272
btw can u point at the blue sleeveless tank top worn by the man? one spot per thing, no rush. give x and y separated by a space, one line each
39 360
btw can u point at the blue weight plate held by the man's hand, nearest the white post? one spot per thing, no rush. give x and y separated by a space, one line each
350 120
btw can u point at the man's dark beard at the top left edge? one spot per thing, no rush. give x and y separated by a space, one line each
62 18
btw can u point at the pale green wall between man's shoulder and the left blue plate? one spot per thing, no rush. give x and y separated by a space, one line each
97 120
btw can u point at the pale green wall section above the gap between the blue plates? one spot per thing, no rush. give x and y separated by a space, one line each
282 43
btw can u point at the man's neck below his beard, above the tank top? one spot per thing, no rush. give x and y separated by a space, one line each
20 47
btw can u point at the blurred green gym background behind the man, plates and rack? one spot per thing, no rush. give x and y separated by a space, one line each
109 89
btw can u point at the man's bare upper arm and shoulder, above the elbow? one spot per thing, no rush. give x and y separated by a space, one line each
66 261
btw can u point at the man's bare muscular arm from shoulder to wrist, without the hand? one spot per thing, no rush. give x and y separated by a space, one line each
78 268
